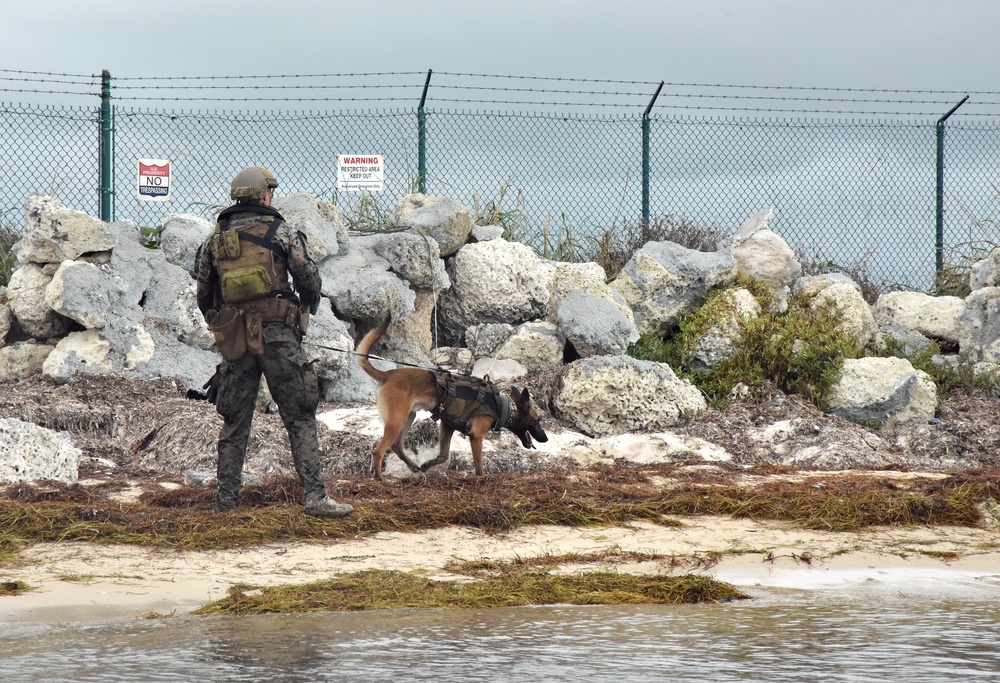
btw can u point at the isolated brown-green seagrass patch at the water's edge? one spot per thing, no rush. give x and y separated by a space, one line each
380 589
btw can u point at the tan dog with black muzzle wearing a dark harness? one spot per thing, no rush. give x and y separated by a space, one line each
404 391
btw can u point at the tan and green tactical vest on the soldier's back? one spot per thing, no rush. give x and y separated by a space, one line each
251 265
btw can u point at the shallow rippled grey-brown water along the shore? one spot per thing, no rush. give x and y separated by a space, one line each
801 636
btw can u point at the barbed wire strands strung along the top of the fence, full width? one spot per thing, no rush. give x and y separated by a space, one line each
882 102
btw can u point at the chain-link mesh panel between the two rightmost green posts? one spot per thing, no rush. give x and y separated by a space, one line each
842 192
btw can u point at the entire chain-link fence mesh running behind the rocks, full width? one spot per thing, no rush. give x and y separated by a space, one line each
846 192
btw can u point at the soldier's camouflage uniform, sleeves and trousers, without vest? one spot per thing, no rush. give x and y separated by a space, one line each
289 374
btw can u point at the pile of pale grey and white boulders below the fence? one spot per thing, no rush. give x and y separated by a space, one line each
92 297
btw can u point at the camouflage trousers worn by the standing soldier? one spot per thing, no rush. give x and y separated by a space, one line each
294 388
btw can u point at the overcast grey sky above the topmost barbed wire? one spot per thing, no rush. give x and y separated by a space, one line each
913 44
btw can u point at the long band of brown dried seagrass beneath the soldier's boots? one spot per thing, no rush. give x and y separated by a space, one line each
182 518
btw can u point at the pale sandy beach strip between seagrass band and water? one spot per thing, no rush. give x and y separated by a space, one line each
83 582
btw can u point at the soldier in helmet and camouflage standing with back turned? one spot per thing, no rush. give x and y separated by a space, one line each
258 320
